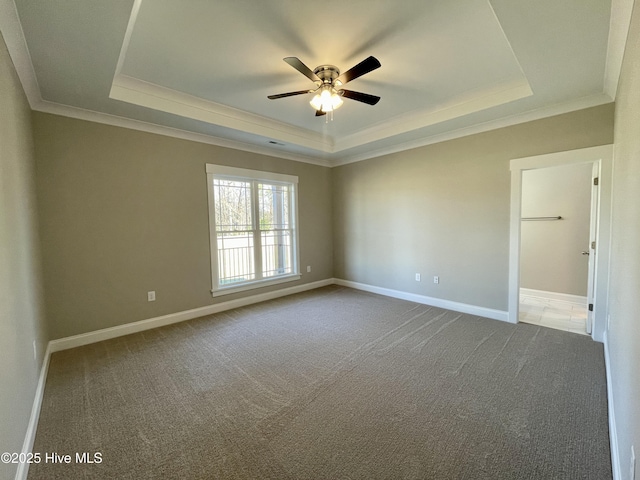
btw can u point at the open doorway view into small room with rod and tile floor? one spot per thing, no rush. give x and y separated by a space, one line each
555 233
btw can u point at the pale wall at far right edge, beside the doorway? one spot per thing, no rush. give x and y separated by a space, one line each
624 293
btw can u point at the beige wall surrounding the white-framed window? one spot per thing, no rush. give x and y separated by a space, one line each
124 212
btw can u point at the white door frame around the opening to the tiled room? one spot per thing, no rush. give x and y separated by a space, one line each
602 157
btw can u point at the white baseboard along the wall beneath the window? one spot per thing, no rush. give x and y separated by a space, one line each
150 323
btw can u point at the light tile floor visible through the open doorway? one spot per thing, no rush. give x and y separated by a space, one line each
561 315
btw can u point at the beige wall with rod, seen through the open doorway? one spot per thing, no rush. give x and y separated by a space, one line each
550 256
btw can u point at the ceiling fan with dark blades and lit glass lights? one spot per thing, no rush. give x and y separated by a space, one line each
329 82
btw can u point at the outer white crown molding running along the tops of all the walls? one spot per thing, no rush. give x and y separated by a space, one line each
11 30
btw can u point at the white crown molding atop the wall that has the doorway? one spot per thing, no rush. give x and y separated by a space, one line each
537 114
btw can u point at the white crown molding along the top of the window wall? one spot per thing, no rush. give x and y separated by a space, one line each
116 121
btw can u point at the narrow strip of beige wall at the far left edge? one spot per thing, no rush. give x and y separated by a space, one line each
21 317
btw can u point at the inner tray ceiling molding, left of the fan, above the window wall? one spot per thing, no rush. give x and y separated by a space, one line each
149 95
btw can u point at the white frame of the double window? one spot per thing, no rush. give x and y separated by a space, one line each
243 174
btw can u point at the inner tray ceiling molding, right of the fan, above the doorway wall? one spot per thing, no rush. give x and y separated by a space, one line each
472 102
